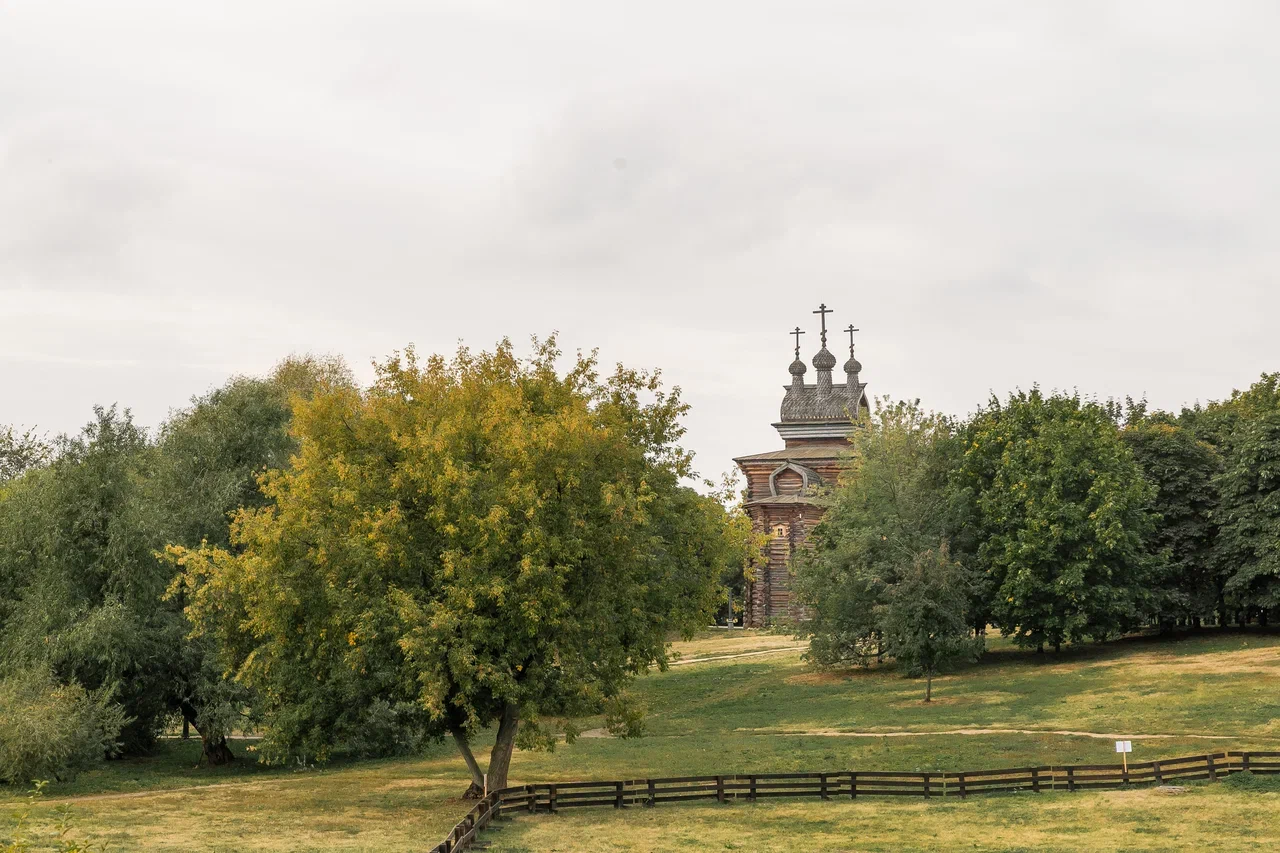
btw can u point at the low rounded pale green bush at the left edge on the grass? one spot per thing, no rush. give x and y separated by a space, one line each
51 731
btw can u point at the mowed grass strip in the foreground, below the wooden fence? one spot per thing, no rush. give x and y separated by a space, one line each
1219 818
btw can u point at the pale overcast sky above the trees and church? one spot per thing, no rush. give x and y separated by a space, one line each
998 194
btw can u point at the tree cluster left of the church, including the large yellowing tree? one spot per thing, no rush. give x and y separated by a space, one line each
470 542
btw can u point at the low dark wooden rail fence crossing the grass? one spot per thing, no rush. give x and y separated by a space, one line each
847 784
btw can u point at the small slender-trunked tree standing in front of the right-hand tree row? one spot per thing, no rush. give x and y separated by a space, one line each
925 617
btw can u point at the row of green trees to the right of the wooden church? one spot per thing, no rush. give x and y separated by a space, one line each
1054 518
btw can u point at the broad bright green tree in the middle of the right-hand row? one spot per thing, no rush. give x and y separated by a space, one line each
1060 512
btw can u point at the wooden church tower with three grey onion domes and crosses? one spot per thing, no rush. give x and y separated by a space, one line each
781 486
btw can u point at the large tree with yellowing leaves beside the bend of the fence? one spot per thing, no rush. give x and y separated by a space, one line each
467 544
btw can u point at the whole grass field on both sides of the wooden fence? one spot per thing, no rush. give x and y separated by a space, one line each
770 713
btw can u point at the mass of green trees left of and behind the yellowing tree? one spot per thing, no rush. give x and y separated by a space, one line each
81 583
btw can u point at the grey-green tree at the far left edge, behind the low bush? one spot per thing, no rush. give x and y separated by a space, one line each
80 576
